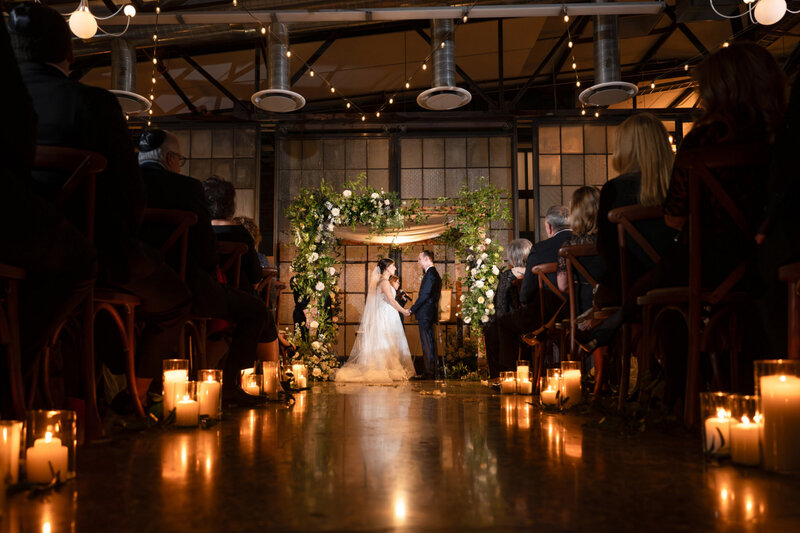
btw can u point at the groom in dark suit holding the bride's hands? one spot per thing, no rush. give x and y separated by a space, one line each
426 311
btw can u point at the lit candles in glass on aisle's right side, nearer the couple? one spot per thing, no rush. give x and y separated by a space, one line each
561 387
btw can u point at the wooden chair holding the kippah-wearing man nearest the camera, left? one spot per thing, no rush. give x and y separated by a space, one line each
81 168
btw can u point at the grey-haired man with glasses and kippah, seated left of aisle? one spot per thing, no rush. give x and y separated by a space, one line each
159 157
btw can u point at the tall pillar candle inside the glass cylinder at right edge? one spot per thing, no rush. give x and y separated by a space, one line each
780 406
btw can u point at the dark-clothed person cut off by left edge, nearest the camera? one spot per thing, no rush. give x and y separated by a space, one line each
60 264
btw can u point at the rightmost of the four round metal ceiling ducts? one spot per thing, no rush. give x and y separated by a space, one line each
607 88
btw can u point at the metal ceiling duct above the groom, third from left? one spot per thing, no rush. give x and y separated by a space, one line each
443 94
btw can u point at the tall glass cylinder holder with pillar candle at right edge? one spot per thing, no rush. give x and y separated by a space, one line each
778 386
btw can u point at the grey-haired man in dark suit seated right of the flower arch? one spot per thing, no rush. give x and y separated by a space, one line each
502 342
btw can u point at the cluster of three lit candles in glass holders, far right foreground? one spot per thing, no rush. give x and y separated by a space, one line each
757 430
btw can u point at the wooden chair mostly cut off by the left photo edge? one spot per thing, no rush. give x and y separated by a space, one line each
10 277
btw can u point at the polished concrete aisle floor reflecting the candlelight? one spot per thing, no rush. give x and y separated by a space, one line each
363 458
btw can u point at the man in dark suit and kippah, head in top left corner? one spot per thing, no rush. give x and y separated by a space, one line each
89 118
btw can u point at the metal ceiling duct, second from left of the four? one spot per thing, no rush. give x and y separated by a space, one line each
277 97
